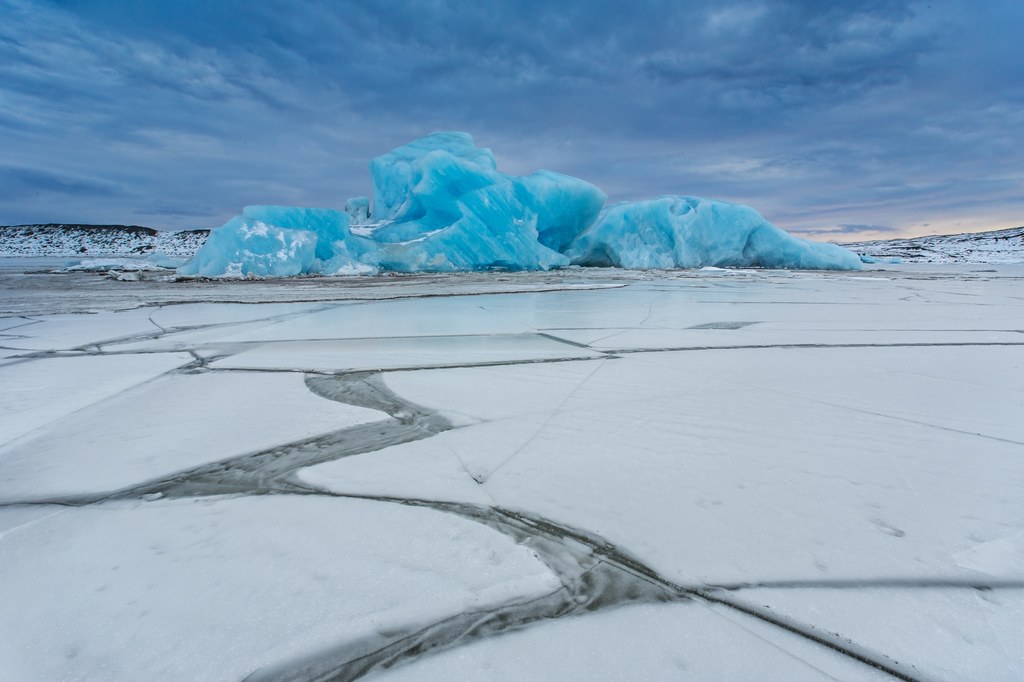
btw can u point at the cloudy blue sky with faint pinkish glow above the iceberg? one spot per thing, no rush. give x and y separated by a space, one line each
838 121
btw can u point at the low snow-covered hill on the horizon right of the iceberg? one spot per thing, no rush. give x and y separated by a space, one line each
1002 246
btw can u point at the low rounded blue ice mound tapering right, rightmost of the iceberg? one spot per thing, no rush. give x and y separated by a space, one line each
688 232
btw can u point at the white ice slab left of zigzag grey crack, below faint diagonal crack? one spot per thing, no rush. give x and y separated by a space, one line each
165 427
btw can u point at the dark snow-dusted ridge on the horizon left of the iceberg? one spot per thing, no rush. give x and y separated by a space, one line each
72 240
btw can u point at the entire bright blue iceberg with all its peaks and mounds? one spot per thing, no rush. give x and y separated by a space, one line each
440 204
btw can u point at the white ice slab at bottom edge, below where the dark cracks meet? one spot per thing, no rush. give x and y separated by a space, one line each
644 643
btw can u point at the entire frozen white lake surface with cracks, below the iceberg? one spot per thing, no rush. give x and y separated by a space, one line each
712 475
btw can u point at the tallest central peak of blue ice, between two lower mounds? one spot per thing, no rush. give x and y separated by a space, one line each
442 205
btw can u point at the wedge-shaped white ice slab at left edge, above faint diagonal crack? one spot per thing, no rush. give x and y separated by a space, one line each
39 392
